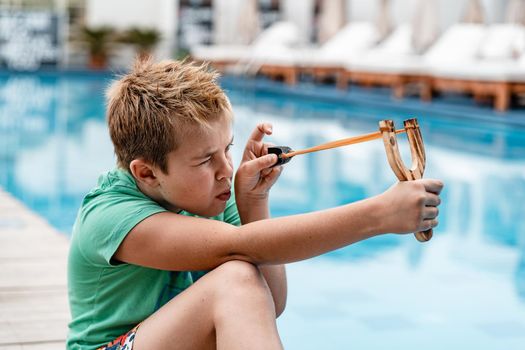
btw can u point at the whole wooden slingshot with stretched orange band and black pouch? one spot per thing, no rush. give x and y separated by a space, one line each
388 133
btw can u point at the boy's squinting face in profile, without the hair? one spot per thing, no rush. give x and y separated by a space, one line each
200 170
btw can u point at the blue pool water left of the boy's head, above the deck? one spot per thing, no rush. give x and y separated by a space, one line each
53 141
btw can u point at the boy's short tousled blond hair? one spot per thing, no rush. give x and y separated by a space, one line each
148 108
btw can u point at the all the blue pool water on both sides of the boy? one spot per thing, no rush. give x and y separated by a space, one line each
464 289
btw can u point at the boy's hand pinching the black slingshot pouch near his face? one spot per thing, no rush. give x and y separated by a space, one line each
255 176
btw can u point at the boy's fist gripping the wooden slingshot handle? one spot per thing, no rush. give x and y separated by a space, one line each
410 206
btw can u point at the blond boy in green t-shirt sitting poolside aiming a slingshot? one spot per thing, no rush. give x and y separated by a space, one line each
148 269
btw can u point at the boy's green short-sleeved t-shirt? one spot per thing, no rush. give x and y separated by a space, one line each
106 298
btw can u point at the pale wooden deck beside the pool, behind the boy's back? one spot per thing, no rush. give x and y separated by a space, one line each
34 309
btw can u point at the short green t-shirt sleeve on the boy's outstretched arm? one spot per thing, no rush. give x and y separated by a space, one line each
107 220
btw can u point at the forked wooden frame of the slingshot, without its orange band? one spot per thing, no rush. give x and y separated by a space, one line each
417 150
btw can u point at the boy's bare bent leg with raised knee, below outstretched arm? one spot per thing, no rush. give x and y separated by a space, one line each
230 307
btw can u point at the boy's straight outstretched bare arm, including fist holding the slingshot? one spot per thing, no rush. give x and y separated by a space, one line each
176 242
